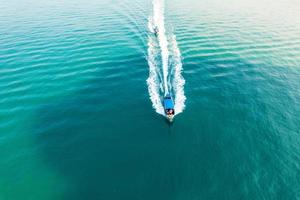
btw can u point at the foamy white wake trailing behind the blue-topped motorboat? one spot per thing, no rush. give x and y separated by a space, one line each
164 60
